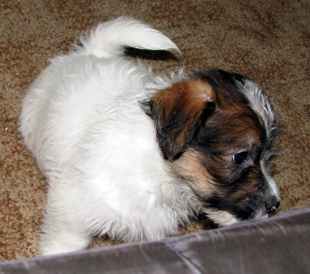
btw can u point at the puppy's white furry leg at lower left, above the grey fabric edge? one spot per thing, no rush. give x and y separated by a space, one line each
64 229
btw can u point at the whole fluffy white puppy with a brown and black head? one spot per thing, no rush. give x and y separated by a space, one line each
132 155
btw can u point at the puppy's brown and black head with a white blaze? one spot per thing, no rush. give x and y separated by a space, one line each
217 129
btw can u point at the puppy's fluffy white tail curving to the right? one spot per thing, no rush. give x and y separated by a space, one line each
109 38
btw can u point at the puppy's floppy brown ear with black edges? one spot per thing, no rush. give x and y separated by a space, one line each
178 111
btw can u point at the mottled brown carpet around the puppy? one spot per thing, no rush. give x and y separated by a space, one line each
266 40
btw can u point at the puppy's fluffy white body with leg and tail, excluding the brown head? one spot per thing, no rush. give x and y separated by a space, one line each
82 121
